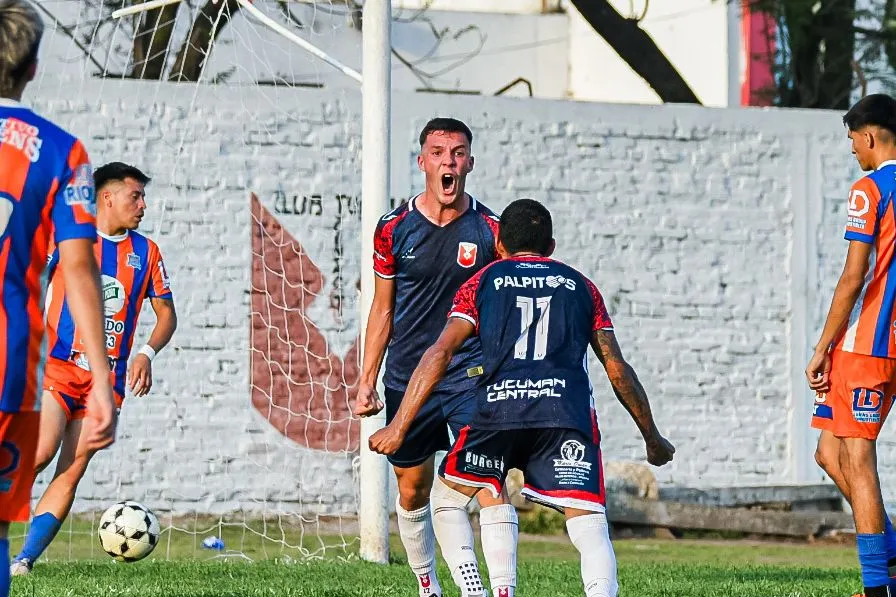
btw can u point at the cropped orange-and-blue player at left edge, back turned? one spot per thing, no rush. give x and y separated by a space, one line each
46 193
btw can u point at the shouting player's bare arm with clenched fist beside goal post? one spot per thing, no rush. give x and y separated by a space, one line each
376 338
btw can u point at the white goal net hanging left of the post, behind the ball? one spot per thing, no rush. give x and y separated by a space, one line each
253 146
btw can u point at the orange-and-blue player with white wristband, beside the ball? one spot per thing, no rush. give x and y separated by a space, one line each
132 270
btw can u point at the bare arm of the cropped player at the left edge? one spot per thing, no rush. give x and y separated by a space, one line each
81 277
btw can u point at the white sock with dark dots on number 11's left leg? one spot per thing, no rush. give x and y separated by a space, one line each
455 536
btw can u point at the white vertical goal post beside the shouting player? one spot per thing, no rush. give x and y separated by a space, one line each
373 514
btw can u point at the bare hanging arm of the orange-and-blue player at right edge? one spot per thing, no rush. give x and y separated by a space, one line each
849 286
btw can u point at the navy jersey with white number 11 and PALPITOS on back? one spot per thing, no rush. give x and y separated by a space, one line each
535 318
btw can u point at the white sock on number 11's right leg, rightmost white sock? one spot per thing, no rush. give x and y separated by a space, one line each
591 536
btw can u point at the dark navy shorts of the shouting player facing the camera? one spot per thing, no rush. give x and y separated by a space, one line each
429 431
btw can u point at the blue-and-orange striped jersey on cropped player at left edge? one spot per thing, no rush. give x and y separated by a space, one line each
46 188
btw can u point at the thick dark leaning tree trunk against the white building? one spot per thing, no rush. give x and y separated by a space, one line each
637 48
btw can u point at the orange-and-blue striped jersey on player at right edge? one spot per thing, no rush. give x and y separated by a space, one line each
871 218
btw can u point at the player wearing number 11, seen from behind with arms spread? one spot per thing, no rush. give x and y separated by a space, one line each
535 318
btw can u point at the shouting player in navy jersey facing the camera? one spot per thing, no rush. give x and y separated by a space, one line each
424 250
